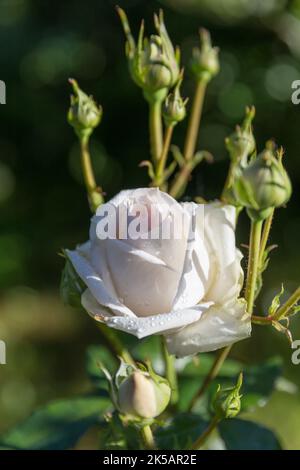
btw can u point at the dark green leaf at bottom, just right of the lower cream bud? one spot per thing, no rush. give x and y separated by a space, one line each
180 432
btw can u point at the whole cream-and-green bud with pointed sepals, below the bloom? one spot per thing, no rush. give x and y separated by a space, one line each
138 392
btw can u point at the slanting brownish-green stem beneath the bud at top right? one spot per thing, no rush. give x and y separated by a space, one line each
194 121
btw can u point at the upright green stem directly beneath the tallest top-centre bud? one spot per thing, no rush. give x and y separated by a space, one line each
155 127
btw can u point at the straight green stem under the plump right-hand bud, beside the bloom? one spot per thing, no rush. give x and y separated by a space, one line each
253 263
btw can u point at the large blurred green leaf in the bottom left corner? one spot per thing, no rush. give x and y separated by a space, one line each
58 425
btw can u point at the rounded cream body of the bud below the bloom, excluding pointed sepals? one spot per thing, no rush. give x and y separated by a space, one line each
142 397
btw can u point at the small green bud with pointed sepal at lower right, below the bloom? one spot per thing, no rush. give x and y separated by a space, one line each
227 402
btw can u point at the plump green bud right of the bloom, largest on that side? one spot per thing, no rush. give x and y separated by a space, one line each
262 185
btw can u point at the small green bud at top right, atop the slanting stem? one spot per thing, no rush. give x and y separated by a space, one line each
204 63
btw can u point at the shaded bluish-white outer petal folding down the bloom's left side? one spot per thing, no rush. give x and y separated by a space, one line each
83 267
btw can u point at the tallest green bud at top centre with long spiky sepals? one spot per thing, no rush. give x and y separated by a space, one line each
153 62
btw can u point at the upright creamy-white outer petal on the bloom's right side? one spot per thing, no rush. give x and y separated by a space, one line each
227 275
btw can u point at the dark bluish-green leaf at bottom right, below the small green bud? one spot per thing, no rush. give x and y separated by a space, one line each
240 434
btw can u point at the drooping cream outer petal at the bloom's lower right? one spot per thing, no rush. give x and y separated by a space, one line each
216 328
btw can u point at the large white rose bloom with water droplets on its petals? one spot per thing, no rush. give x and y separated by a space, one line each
185 288
